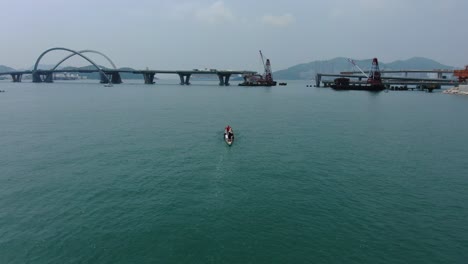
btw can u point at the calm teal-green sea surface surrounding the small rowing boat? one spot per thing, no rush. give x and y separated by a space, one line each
140 174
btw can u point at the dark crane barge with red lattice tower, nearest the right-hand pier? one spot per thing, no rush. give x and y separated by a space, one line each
373 83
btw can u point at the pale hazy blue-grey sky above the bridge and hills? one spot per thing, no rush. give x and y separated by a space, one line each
182 34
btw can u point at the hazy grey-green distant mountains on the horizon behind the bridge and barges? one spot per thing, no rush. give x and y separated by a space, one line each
307 71
